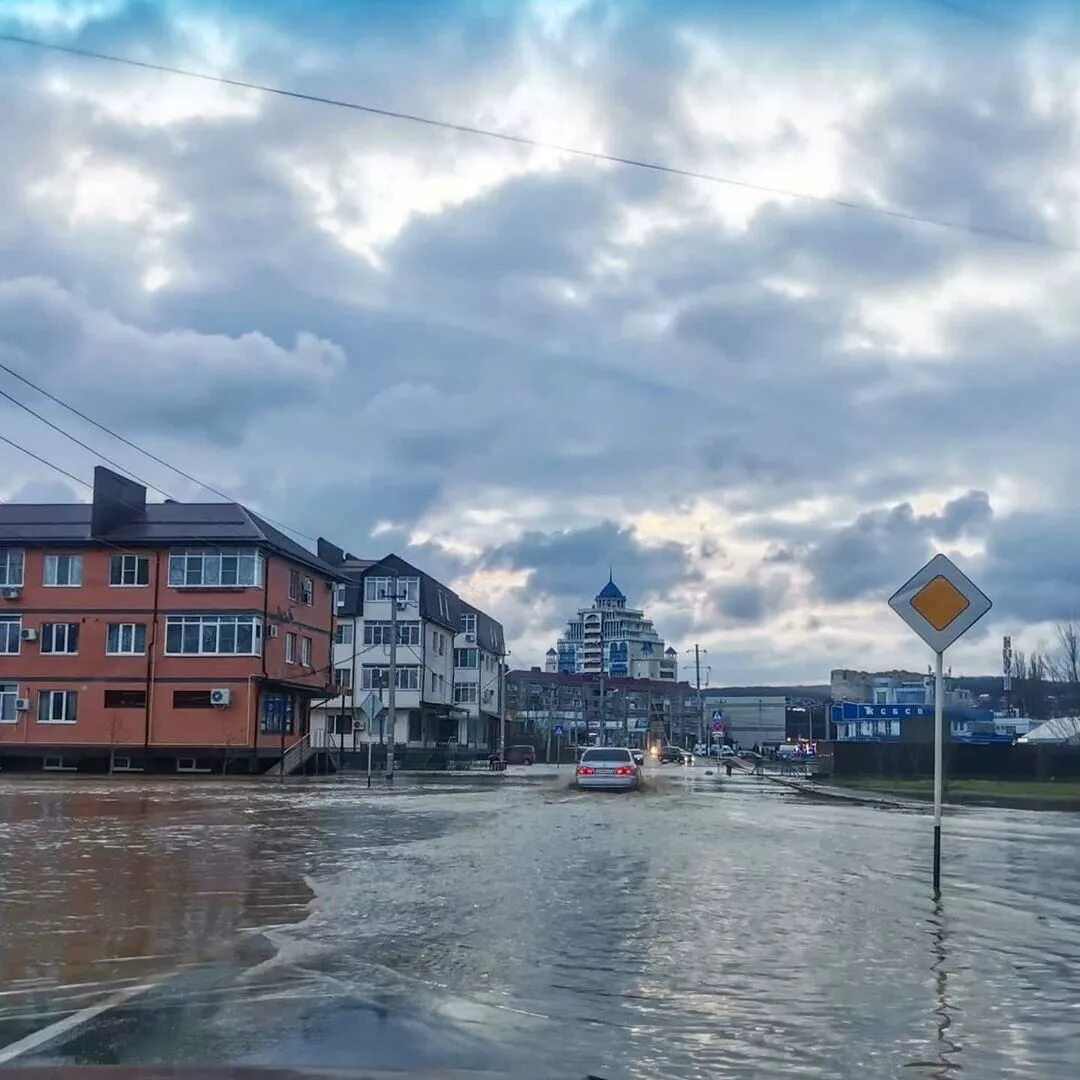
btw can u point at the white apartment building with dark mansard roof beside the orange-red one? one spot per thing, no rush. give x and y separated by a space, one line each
449 660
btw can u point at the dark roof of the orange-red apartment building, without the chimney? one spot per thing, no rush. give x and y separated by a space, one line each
157 523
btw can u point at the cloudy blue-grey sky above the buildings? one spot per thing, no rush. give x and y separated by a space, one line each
516 367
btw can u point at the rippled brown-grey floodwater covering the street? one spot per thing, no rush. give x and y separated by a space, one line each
705 928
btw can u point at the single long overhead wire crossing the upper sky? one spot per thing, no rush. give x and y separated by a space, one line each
614 159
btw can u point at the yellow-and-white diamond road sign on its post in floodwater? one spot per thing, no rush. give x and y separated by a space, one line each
940 604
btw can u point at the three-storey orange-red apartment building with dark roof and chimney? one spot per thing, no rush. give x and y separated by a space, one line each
171 638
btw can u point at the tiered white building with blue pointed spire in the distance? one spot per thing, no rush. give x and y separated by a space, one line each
612 639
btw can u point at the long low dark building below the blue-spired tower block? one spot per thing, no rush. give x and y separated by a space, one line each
632 712
